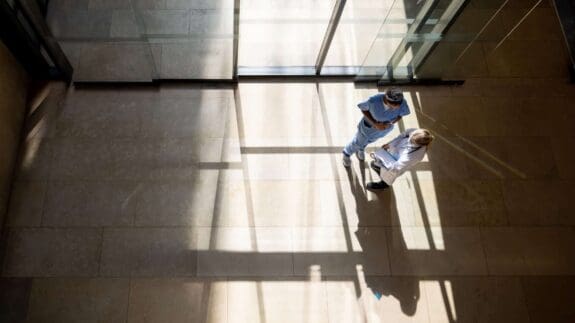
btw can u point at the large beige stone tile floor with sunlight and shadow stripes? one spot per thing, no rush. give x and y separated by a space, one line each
181 203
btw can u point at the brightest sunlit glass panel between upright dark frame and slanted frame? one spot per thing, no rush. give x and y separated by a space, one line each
282 36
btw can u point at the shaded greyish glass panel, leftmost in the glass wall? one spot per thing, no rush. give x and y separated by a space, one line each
141 40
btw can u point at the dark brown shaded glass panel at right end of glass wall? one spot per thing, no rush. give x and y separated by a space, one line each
471 43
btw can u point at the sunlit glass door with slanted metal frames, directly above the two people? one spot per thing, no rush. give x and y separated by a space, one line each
388 39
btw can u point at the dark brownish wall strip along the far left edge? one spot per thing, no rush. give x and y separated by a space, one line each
13 89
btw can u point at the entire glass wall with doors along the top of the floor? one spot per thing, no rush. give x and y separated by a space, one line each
142 40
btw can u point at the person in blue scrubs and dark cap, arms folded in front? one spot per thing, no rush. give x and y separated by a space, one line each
380 113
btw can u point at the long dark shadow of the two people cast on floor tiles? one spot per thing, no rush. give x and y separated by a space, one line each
374 213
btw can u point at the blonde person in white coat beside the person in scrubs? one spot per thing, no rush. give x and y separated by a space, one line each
400 154
